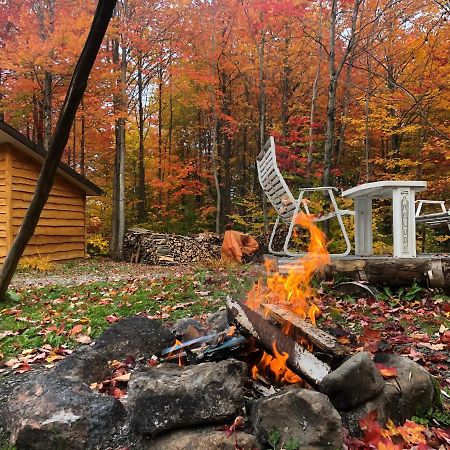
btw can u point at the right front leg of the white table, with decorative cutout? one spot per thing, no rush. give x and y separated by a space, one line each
403 223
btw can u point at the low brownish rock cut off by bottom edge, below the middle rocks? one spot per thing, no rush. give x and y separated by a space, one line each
202 439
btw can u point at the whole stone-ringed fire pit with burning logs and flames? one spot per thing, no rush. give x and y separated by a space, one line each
262 375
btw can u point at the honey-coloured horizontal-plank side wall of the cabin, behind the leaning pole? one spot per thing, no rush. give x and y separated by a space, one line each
61 231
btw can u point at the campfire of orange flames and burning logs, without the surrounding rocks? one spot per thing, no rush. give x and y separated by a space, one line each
278 322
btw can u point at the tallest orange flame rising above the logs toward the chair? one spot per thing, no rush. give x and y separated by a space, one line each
295 290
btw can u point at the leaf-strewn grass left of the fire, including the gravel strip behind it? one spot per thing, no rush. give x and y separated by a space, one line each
54 317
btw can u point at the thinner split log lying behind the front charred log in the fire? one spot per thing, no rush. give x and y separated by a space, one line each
301 328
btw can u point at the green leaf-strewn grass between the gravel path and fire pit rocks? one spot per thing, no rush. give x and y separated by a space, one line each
47 314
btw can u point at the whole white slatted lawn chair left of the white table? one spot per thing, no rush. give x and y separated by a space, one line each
286 206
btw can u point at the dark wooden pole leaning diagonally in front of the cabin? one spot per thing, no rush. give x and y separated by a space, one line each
59 140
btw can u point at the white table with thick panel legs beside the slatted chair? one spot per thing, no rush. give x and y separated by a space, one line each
403 214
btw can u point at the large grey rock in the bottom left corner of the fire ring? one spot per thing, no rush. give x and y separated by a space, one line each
52 412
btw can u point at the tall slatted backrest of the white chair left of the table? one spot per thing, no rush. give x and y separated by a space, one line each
273 183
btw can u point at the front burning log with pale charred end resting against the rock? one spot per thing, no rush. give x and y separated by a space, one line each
300 360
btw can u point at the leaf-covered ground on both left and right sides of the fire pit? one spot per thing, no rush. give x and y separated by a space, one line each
74 302
